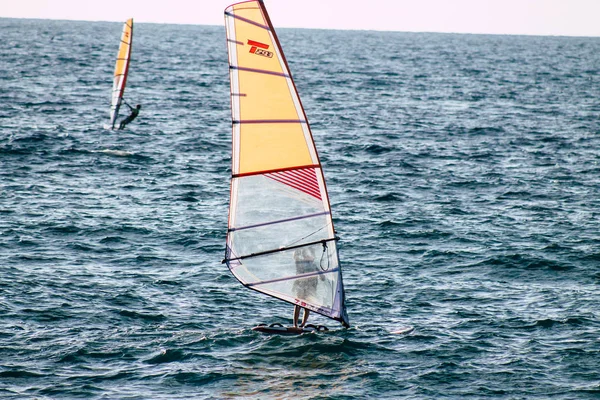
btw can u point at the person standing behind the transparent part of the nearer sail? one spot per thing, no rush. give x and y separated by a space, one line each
305 287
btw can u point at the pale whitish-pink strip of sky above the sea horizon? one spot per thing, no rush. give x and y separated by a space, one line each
529 17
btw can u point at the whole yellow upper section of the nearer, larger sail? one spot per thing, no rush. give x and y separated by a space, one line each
272 132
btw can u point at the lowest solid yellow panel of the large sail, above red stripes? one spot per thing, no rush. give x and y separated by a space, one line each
266 147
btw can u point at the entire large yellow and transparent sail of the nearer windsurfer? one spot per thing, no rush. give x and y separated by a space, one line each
280 238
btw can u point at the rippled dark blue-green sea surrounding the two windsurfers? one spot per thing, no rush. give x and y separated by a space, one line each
464 178
